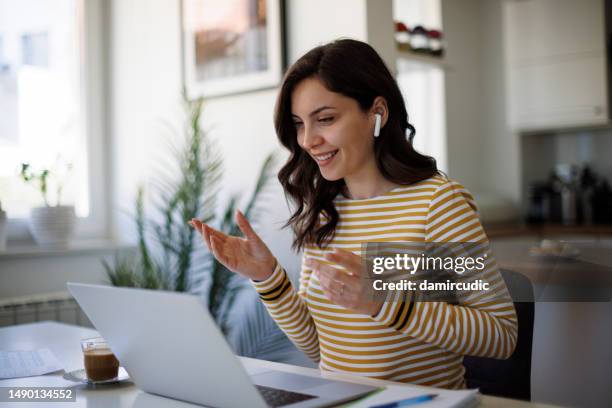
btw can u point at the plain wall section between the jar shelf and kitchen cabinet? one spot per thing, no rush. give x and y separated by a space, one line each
482 152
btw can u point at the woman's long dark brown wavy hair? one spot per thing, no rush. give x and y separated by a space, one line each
354 69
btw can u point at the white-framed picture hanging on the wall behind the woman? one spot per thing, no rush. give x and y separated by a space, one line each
232 46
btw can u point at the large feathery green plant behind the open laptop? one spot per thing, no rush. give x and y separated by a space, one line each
170 254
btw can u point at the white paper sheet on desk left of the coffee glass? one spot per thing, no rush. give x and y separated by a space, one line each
28 363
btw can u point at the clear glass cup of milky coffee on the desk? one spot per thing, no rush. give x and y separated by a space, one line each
100 362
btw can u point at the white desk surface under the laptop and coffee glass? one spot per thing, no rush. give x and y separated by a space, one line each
63 341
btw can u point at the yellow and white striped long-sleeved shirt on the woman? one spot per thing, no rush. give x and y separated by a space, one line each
414 342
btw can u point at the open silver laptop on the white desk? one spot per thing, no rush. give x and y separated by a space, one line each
171 346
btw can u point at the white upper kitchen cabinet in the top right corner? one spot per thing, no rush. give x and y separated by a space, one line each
555 57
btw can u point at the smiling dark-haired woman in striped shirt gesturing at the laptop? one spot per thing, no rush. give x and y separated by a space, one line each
354 180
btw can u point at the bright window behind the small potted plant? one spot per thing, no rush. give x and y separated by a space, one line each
46 94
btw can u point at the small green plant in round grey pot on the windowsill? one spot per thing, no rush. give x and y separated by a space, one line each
50 225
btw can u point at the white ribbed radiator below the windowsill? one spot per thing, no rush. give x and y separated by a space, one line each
56 306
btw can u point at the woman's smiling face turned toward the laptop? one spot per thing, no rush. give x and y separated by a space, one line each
333 130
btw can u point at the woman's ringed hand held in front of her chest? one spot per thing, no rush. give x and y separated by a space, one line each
345 288
